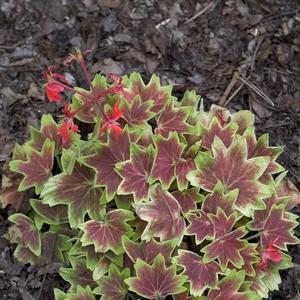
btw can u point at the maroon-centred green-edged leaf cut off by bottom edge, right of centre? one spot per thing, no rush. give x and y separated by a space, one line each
229 286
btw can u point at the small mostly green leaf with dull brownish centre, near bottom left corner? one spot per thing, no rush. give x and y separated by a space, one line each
78 274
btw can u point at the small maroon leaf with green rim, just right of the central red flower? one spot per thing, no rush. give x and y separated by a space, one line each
137 112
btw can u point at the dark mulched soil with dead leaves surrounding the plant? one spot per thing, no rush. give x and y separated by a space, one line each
192 44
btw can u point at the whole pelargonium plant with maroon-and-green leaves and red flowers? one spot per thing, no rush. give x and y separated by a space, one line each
135 194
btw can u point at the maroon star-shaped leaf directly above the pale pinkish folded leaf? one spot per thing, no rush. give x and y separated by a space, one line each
135 172
